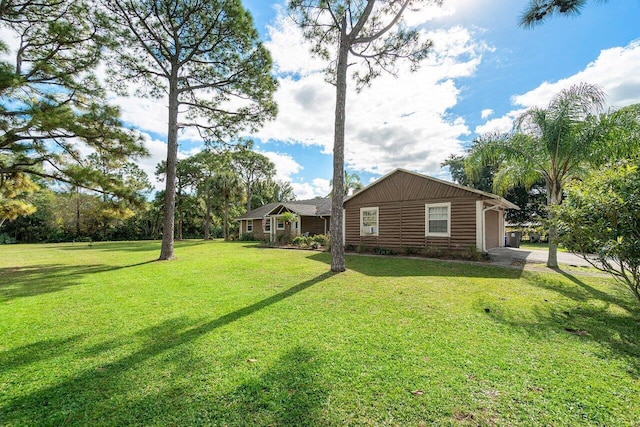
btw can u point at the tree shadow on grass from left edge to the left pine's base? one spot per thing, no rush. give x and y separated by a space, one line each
19 282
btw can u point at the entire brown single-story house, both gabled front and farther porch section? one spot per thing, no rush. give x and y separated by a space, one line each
401 209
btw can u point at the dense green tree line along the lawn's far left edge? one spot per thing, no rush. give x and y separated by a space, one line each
213 187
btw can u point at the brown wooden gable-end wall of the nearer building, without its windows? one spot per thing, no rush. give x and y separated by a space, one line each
401 200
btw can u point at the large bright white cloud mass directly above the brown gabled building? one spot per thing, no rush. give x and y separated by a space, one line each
397 122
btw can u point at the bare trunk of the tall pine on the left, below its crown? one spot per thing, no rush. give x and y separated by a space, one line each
166 252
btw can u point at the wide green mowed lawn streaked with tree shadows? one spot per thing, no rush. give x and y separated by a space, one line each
232 334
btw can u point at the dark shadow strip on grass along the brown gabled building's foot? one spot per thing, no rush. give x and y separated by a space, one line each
398 266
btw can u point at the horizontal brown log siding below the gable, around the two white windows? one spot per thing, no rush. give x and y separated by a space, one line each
402 224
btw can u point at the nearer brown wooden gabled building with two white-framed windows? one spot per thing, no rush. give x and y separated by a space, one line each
406 209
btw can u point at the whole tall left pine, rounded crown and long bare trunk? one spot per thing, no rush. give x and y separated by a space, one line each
206 58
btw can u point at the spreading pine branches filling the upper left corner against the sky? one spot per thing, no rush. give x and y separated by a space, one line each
51 103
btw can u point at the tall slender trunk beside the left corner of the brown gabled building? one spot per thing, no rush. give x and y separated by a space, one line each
337 245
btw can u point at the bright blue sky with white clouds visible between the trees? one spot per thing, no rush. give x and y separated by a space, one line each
483 70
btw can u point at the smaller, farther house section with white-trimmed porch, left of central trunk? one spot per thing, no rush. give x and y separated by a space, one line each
266 221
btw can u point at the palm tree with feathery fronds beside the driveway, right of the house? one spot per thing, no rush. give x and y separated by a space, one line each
555 144
